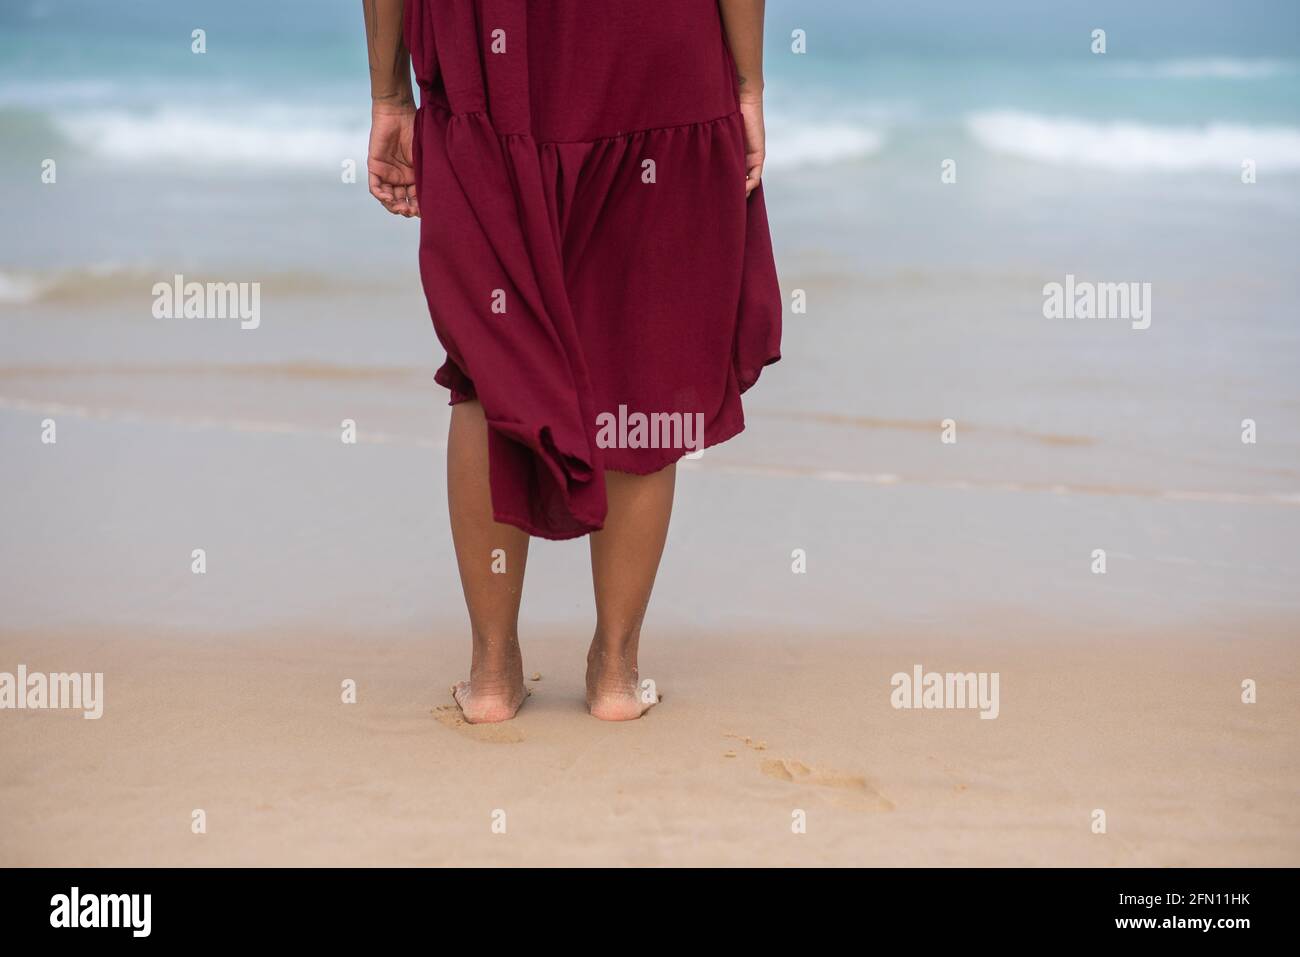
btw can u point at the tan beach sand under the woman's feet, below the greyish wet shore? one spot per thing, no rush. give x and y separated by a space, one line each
751 730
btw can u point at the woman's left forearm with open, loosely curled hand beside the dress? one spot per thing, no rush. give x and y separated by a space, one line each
389 163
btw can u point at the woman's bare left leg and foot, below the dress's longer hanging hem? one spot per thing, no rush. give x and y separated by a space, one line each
492 560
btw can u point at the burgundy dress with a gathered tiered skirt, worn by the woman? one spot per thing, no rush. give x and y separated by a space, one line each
586 241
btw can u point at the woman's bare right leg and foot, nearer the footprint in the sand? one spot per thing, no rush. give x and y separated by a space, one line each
625 560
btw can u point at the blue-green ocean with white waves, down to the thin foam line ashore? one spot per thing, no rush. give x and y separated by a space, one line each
925 298
